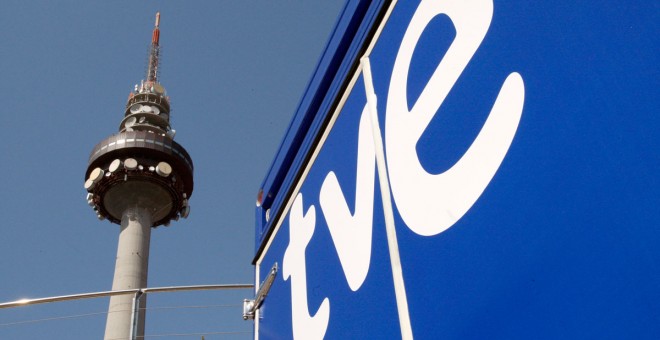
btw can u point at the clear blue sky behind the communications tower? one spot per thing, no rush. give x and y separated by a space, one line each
235 71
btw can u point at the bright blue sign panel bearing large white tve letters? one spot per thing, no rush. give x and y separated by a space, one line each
475 169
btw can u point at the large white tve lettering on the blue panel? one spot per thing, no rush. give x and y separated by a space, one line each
428 203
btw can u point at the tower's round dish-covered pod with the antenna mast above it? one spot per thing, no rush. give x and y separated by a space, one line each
142 165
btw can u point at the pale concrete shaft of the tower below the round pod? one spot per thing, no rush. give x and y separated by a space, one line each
130 273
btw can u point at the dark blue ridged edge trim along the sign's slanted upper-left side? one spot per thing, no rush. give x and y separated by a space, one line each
353 25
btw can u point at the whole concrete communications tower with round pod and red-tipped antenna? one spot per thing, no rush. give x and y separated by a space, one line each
139 178
